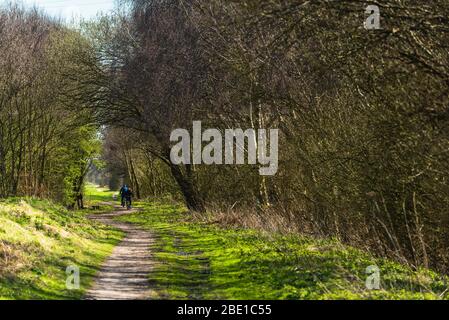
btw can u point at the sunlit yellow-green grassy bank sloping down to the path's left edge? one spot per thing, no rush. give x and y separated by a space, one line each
39 240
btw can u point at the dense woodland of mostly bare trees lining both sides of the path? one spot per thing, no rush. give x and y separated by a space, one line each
363 114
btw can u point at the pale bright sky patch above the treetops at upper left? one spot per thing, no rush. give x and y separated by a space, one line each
68 9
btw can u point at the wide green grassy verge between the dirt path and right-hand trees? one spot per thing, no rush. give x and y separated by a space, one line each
199 261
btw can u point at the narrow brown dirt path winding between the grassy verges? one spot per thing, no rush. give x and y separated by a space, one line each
124 276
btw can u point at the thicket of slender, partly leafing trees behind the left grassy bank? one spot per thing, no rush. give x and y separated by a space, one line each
47 141
